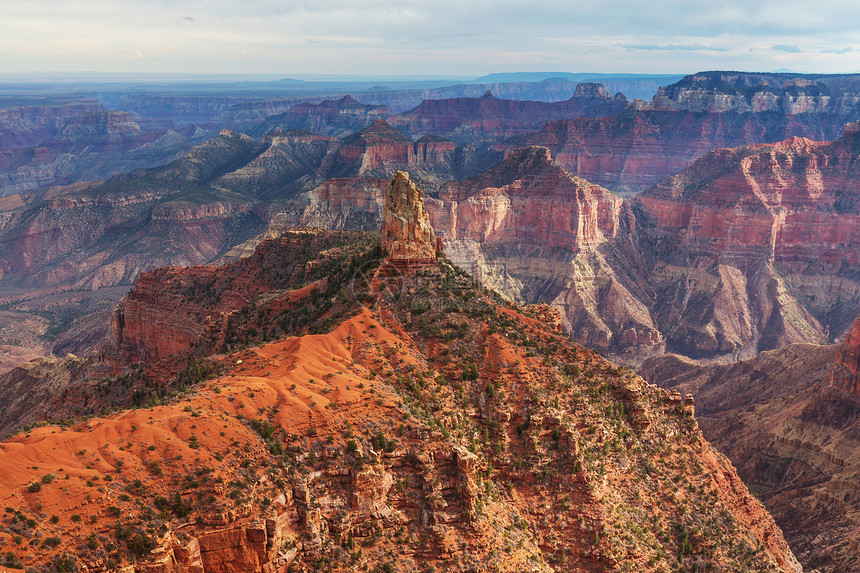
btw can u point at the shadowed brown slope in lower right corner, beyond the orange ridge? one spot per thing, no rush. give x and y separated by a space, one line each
790 428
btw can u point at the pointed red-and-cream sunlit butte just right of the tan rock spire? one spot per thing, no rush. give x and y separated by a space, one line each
539 234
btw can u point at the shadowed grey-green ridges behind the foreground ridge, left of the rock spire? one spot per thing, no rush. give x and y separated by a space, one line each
97 237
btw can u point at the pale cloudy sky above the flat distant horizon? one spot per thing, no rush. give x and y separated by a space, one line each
431 37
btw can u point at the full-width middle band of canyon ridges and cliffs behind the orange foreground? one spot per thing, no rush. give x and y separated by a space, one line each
716 261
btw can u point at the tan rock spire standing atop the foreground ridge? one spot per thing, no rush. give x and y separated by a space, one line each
407 236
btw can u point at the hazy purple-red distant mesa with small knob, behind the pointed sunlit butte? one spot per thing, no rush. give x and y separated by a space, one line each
489 118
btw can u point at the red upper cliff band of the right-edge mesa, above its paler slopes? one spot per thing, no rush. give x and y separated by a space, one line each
793 200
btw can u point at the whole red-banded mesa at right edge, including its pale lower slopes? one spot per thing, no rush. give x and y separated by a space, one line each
778 218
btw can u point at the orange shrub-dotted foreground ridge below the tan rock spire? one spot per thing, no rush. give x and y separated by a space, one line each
415 422
